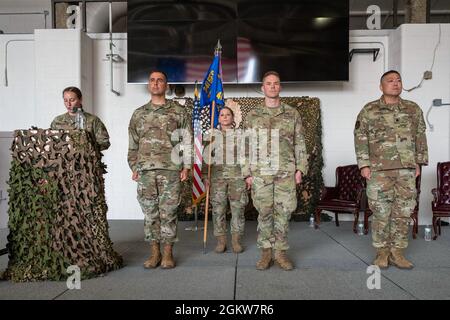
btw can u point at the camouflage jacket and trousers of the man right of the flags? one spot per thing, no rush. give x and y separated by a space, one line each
274 188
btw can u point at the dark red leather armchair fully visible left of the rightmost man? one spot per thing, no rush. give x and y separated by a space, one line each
345 197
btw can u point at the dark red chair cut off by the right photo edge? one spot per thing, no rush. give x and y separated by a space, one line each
441 202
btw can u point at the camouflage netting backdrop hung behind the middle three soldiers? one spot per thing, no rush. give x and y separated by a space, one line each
309 191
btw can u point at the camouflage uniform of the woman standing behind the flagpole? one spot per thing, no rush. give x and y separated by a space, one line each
227 183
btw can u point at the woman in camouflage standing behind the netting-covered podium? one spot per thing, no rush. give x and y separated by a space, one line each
73 99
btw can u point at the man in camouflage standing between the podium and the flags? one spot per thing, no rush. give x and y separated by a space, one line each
158 176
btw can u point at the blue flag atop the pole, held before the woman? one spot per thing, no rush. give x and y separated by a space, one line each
212 89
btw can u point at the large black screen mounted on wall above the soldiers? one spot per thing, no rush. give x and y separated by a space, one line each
304 40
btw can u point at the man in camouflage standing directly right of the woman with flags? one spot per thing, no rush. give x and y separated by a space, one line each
273 180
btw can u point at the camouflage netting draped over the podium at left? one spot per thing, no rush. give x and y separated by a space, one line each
57 208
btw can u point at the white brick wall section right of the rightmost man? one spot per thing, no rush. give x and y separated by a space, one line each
417 47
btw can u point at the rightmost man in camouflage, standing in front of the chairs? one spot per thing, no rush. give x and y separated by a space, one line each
391 147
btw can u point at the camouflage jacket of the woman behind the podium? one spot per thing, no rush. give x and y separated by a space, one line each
93 125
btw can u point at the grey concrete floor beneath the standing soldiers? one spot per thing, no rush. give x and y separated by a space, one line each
331 263
